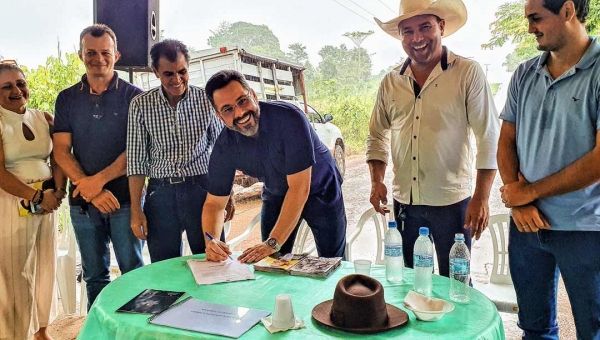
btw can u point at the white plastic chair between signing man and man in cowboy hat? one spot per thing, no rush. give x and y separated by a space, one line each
380 224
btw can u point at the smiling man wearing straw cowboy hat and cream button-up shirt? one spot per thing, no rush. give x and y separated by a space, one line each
427 107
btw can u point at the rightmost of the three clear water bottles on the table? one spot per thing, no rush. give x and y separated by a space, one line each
460 270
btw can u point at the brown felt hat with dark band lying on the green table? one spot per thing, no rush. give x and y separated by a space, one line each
358 306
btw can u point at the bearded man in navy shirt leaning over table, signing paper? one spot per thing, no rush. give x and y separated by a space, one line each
275 143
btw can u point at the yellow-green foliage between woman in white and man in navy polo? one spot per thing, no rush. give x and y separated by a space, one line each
45 82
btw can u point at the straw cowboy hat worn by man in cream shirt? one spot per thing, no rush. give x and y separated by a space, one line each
453 12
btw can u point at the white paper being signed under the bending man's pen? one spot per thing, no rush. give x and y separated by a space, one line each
206 272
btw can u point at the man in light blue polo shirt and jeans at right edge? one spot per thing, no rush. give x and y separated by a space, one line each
549 160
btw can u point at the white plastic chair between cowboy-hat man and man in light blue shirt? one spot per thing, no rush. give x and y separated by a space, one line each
500 289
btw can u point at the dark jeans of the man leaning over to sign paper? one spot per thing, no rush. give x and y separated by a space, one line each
324 213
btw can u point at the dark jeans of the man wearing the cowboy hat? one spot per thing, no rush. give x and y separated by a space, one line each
443 222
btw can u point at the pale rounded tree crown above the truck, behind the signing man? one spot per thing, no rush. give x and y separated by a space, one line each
258 38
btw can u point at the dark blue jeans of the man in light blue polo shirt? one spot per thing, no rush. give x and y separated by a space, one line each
535 261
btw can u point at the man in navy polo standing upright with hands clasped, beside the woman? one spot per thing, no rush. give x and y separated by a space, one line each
91 120
